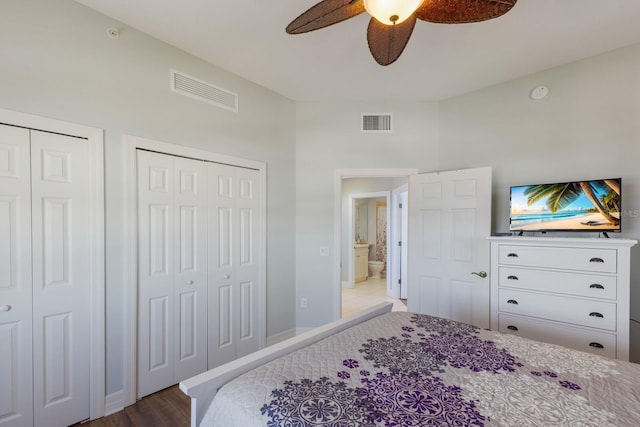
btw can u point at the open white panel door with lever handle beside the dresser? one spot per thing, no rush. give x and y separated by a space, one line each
449 220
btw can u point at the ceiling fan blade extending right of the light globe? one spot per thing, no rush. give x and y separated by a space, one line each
462 11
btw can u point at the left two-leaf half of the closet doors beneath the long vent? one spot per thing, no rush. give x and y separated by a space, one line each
172 285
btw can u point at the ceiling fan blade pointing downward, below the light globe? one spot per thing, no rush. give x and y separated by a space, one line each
386 42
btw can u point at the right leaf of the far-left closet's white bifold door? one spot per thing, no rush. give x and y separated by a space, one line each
61 278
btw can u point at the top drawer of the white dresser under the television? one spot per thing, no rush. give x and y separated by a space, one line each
583 259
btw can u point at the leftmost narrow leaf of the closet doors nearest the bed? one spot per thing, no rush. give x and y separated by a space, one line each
155 272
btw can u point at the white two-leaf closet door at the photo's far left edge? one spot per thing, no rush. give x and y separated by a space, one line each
46 286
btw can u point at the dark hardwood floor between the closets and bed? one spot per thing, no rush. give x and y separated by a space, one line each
169 407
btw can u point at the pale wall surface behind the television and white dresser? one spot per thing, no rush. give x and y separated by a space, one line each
587 128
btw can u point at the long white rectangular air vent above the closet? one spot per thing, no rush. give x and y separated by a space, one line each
203 91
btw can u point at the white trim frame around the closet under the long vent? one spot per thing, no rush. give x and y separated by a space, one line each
130 289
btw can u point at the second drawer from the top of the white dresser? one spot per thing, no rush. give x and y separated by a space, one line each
587 285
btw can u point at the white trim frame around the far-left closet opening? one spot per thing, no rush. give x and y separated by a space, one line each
95 141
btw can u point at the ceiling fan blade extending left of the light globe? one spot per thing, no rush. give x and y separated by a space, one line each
325 13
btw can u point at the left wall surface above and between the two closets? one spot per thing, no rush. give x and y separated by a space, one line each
57 61
